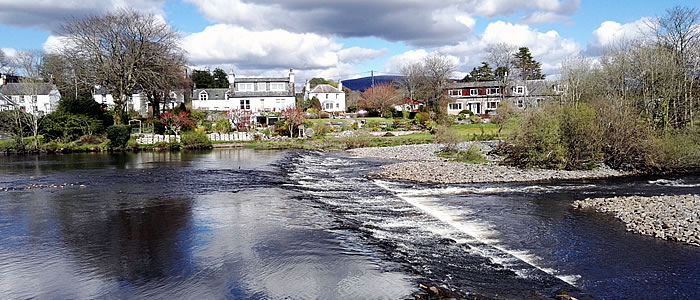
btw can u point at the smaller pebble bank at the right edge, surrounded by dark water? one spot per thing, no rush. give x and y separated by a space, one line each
675 218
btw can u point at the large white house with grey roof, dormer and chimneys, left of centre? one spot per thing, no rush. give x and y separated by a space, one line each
255 95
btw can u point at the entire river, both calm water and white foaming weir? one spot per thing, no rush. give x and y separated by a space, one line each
248 224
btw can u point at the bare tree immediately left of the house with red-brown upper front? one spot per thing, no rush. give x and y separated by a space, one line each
438 70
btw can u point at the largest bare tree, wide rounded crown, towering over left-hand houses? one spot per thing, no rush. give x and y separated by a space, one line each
122 50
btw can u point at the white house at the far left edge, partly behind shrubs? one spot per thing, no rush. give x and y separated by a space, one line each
34 98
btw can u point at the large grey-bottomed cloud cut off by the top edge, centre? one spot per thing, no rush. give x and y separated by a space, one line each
426 23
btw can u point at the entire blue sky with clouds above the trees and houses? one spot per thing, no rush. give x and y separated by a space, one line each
343 39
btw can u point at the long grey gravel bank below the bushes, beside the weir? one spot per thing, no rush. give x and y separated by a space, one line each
419 163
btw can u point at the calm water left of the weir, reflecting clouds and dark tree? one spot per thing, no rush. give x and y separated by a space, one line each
216 224
